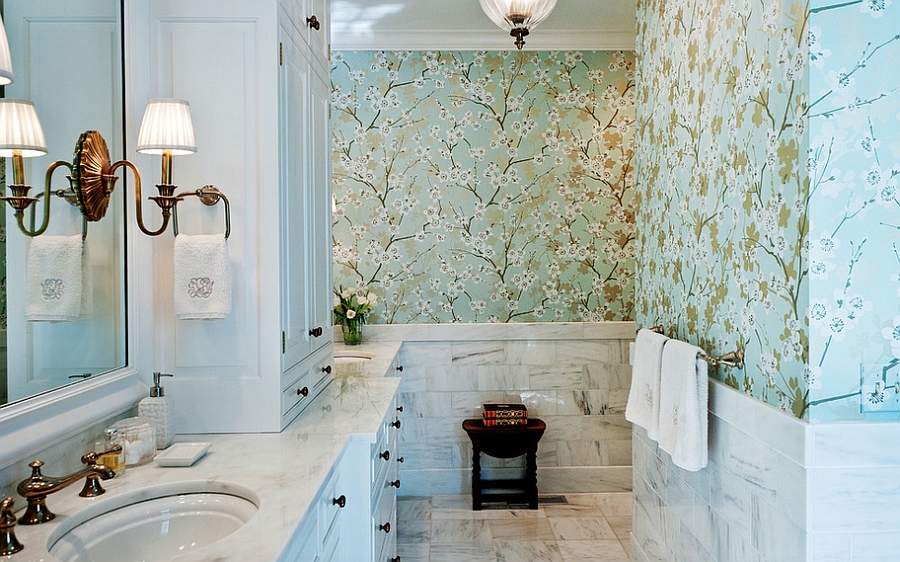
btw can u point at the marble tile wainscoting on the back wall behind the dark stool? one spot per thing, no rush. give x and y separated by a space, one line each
574 376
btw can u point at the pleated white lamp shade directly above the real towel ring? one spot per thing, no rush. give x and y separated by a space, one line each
167 126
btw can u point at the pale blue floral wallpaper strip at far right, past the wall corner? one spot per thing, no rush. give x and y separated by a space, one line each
853 164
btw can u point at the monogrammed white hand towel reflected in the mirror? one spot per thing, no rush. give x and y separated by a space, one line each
55 284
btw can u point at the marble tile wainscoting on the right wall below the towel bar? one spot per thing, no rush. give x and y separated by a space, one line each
777 489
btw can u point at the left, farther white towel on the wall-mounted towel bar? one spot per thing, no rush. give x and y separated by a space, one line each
643 398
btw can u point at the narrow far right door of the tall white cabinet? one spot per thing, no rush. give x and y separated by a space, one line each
320 150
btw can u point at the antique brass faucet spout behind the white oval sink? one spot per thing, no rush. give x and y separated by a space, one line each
36 488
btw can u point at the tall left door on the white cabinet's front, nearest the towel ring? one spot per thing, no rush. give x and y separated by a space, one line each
296 236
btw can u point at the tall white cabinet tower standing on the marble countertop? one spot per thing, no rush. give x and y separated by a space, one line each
252 72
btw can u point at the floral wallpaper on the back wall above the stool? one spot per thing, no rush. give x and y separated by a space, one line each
485 186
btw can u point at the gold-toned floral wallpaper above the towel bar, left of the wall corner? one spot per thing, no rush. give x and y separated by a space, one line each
722 192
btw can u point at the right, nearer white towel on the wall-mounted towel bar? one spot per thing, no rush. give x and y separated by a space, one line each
683 405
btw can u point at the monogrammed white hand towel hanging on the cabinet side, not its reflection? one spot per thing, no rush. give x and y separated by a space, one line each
202 279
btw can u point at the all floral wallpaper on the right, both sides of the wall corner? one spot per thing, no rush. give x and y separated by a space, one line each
768 159
